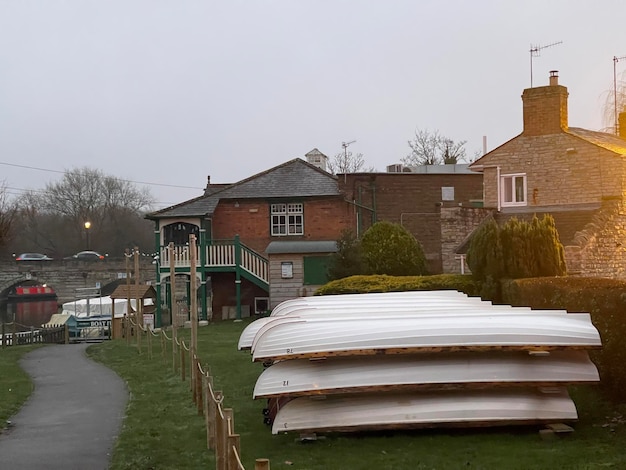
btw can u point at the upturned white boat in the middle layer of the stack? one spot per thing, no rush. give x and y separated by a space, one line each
299 377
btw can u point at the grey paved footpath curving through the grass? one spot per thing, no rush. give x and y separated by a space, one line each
71 419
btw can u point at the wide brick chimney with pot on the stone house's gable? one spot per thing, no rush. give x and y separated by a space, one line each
545 108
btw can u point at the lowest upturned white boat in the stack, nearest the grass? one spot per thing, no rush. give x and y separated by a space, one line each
365 412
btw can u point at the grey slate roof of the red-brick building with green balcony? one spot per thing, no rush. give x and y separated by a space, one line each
293 179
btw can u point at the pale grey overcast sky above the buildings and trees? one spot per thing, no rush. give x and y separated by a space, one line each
168 92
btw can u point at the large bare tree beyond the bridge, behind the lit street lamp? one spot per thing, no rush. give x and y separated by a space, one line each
53 220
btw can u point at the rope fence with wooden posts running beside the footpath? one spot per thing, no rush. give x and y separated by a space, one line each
219 421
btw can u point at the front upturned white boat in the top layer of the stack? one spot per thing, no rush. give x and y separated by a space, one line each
292 337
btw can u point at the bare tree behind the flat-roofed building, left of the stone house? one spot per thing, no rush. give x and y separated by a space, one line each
431 148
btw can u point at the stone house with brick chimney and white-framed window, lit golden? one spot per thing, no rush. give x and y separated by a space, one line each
576 175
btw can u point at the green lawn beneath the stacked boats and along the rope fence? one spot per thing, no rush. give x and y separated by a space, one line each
163 430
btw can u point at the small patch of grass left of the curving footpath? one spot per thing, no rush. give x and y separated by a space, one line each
15 384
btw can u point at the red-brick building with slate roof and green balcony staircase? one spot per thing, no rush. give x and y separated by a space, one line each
259 241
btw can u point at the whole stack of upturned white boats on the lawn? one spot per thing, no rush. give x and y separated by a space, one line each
417 359
